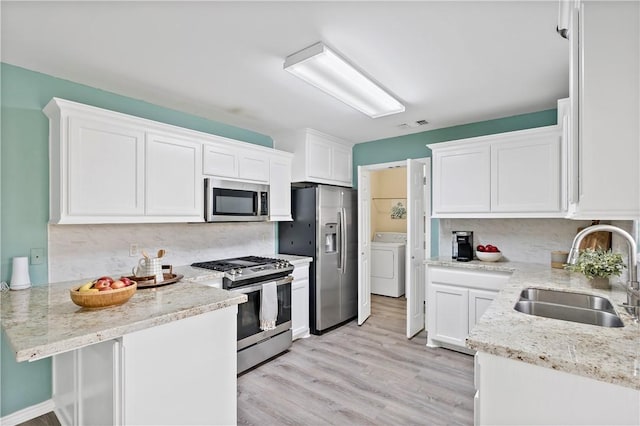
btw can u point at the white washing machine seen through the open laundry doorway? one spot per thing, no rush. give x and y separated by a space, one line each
387 263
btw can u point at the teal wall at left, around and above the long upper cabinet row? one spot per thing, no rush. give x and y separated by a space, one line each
24 200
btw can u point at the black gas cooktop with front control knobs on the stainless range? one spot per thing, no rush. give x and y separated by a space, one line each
247 270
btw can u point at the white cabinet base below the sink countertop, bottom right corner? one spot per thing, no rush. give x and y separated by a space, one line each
511 392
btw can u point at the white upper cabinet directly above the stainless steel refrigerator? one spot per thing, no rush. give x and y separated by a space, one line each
318 157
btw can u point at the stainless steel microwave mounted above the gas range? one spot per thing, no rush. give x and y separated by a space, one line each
230 201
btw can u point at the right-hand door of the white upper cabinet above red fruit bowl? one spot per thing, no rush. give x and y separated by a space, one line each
525 173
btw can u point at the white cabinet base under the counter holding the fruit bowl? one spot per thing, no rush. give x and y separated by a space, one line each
182 372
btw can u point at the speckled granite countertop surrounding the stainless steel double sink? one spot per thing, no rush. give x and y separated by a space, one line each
607 354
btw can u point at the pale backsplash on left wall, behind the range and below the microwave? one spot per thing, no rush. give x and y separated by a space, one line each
81 251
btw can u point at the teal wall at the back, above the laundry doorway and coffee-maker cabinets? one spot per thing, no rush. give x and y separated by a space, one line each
413 146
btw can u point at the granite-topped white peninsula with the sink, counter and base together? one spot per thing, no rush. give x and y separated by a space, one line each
536 370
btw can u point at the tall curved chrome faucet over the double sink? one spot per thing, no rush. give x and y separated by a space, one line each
633 288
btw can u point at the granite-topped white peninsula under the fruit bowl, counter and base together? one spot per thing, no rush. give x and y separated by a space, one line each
167 356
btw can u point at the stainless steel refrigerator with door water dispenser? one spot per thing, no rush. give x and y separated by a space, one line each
324 227
